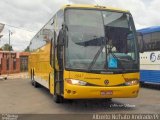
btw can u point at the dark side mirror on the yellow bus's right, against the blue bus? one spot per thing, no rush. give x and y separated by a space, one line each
140 42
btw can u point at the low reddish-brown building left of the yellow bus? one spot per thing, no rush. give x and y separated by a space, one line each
13 62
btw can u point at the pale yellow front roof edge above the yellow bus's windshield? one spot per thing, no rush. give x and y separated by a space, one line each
93 7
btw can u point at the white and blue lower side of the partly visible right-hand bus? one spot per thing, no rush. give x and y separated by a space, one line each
150 67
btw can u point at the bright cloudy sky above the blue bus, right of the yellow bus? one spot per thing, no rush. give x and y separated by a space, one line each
145 12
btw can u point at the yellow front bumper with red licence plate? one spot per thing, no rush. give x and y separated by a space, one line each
91 92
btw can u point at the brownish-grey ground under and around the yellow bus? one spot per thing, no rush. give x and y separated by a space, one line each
19 96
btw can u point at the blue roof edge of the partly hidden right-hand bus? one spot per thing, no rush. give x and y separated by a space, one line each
149 30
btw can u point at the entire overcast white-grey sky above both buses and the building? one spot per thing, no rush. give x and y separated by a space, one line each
29 16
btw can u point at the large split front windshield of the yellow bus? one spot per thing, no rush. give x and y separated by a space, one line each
100 40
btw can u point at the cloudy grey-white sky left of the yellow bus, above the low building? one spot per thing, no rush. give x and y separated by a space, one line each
28 14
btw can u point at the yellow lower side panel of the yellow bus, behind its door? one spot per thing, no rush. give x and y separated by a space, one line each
40 64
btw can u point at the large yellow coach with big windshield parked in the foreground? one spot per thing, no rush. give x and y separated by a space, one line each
86 52
